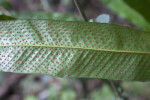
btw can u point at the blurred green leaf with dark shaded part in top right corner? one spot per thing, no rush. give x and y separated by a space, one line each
136 11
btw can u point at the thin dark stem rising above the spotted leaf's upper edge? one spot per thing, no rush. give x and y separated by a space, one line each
80 10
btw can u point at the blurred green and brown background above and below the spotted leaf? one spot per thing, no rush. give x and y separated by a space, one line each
43 87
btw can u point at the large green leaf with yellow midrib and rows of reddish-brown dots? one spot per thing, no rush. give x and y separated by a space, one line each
74 49
